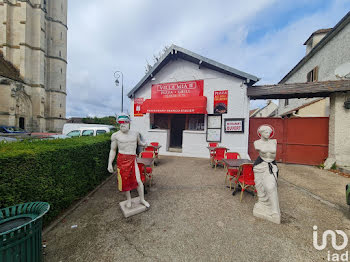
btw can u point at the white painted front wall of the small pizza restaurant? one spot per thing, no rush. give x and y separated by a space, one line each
194 142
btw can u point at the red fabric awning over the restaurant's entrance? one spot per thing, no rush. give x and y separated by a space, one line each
177 105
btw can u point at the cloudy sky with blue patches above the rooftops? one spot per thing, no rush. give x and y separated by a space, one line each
261 37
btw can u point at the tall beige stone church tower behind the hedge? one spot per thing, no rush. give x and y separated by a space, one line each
33 41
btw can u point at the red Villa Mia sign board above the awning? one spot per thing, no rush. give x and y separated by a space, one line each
178 89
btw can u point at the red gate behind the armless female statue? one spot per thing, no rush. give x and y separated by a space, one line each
300 140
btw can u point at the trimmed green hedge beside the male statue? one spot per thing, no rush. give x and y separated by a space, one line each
55 171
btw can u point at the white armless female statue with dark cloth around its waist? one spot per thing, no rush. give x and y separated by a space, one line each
266 174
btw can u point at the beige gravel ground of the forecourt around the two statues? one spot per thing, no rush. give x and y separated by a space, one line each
194 217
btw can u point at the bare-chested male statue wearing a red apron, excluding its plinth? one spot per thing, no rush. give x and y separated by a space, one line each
128 171
